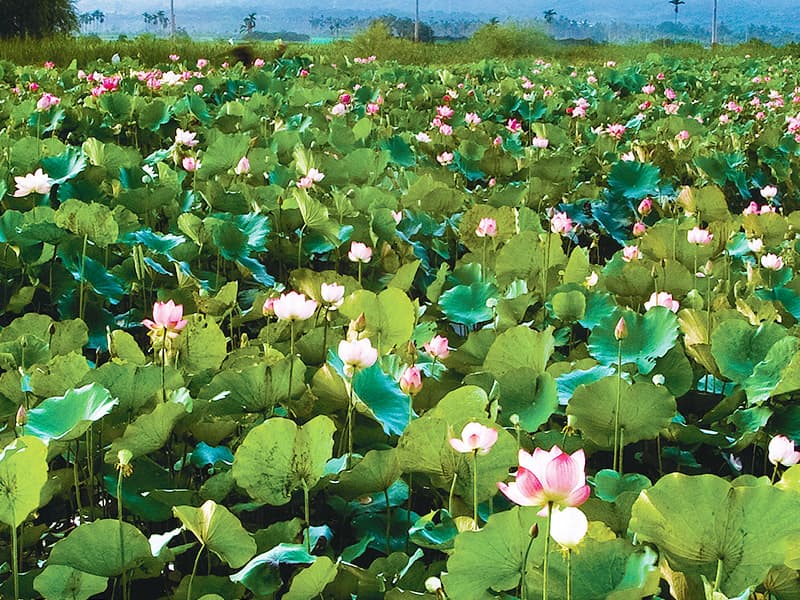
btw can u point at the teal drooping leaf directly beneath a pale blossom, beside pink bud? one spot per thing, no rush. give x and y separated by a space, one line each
389 405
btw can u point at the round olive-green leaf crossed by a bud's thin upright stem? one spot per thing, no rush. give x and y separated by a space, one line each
645 411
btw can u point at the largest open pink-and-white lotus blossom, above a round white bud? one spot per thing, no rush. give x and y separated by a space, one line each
548 477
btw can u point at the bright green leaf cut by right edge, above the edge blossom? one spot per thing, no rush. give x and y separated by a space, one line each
778 373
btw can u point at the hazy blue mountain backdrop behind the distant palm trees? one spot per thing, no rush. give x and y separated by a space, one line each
223 17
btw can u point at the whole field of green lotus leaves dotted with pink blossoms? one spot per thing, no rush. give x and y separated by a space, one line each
365 330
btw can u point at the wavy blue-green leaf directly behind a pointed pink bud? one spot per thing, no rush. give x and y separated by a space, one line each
650 336
